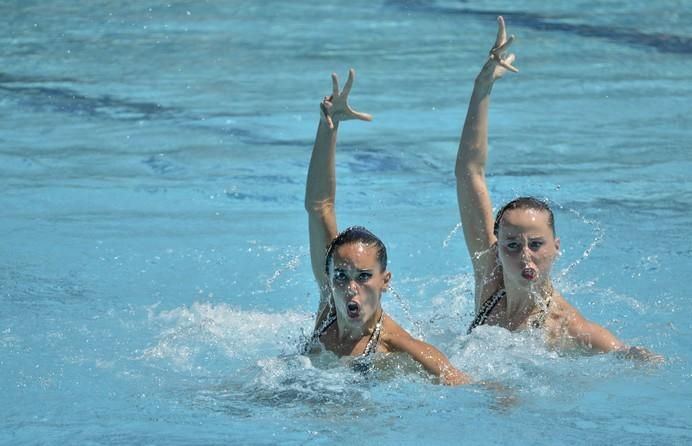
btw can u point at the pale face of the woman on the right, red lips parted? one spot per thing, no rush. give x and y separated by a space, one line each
527 247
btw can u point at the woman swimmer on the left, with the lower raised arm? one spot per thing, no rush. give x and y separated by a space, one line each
351 267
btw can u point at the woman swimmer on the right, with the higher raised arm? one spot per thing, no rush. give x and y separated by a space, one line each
512 254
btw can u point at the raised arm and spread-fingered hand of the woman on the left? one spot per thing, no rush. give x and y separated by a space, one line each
320 190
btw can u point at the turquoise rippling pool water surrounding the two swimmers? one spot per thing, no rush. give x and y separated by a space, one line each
153 264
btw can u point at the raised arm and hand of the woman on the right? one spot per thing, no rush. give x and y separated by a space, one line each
472 193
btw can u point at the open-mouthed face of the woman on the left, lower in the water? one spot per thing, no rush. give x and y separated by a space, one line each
357 281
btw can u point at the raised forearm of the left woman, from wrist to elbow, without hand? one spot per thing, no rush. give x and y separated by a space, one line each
320 190
